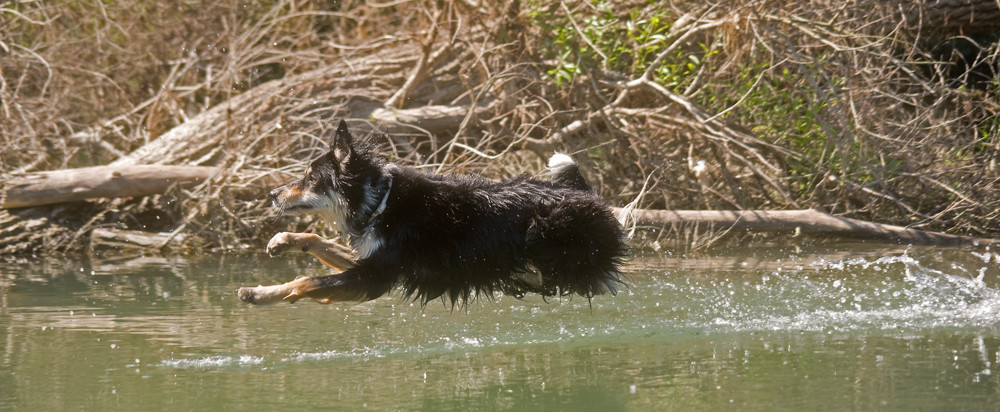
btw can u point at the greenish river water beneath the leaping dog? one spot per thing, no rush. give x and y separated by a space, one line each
845 327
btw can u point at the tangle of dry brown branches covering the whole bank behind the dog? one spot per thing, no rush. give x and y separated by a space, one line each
857 108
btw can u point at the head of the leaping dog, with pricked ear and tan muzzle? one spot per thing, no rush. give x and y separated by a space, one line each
338 186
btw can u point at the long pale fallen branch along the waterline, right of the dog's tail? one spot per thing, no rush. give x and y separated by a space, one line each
801 221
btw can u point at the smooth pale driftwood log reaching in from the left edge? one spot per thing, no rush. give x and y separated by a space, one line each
60 186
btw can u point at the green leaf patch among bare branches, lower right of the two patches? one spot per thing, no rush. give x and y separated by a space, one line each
784 107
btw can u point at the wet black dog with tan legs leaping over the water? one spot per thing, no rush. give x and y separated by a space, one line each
441 236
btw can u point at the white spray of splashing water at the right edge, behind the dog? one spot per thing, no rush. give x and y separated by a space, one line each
893 293
